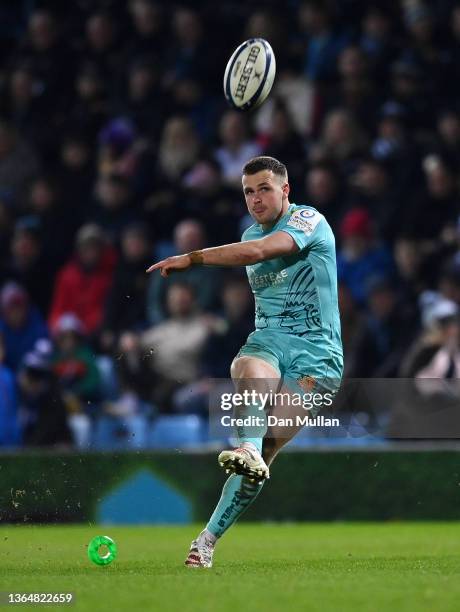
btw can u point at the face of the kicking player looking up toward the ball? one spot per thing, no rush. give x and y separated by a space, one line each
266 196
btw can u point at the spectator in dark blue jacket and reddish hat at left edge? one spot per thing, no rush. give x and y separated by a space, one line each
21 325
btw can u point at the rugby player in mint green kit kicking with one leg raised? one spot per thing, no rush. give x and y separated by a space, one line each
289 254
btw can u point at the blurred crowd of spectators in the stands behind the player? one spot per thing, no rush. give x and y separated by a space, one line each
117 149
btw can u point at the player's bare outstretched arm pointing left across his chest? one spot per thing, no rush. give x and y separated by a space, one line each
236 254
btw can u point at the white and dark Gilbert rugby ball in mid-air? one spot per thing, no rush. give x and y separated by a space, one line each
249 74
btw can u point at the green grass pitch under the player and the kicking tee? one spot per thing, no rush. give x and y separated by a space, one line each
266 567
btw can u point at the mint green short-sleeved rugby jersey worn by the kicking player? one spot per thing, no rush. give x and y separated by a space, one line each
297 294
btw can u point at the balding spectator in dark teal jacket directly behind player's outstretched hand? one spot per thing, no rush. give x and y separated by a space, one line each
188 236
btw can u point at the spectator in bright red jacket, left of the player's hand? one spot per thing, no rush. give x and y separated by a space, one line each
82 285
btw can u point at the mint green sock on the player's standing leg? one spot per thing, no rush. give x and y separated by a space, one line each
237 494
